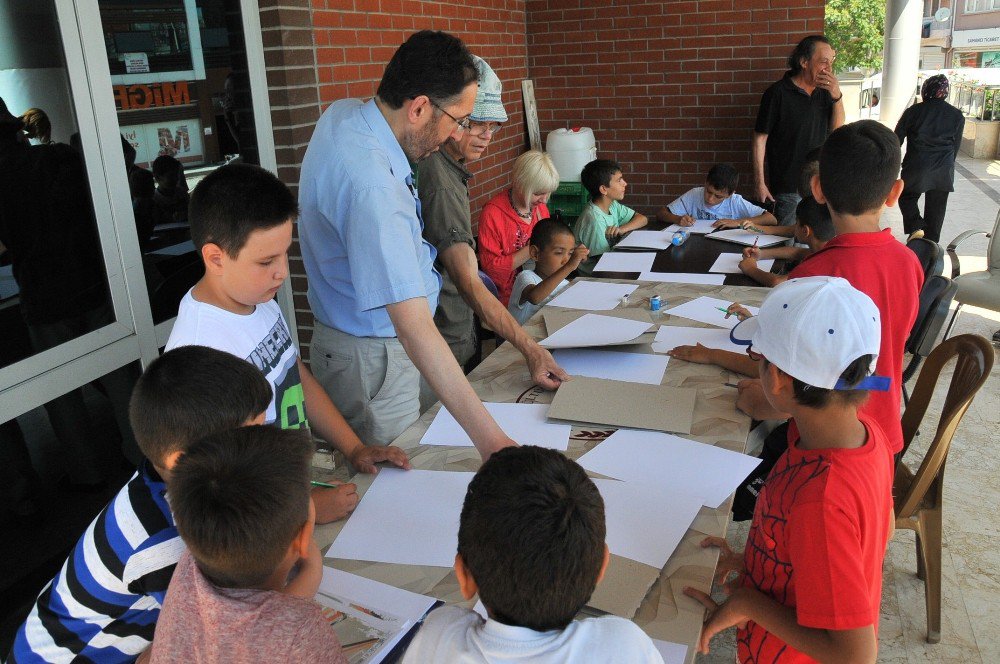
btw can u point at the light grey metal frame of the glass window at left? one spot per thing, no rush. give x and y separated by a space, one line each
36 380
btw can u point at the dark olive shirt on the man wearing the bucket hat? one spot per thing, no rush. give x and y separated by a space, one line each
444 200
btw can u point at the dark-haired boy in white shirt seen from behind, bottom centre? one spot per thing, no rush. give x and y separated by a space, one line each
531 544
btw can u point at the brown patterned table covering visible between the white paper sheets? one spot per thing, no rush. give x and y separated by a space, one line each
653 598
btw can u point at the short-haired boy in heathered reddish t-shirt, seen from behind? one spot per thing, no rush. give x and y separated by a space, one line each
243 591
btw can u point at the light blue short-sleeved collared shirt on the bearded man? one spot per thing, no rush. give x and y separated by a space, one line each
359 225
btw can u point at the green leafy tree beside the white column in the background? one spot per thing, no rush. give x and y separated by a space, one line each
856 30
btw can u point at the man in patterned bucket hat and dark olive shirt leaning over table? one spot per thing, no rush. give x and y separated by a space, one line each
444 198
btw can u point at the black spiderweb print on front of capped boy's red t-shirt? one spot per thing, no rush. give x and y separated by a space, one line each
766 558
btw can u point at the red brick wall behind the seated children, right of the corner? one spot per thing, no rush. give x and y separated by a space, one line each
670 87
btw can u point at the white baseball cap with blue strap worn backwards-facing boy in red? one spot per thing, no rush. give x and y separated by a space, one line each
813 329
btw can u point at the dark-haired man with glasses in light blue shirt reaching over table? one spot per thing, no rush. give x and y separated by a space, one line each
372 284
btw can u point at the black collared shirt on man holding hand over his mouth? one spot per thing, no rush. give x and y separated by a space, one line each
795 122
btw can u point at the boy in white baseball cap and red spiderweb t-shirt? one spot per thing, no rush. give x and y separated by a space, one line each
811 575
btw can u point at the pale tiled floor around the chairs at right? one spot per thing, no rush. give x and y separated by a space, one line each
970 631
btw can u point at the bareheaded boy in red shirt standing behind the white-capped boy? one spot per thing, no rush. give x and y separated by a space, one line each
858 177
